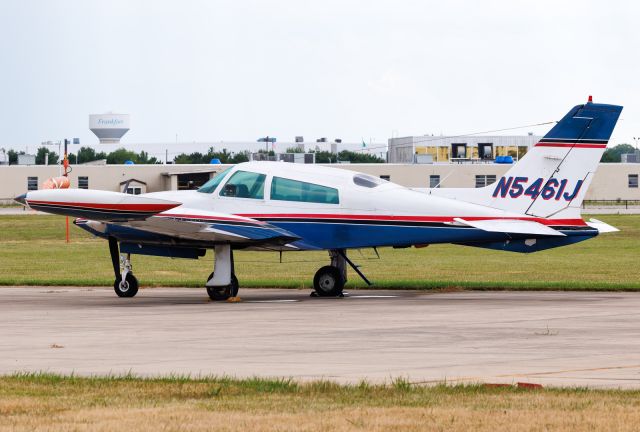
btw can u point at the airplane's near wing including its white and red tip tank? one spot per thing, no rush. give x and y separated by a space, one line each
105 213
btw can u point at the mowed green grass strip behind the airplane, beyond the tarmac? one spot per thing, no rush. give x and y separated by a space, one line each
34 253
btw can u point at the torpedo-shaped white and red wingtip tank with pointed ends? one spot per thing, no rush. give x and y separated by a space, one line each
95 204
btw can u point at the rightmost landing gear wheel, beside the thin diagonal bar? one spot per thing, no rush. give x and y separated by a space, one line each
329 280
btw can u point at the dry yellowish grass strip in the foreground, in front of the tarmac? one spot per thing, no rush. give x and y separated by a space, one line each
48 402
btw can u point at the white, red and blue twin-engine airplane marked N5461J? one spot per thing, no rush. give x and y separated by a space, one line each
275 206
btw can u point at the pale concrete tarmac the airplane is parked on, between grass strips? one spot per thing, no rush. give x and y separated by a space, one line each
550 338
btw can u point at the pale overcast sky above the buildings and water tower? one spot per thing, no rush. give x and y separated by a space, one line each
236 70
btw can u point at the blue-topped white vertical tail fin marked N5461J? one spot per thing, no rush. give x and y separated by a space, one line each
551 180
